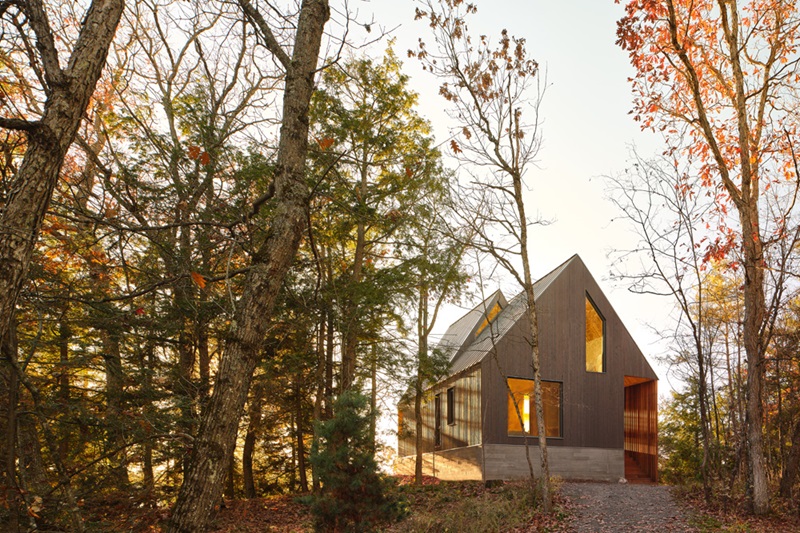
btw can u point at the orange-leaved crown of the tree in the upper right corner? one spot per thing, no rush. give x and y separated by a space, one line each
719 80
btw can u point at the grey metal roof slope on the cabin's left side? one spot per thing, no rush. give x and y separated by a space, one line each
471 352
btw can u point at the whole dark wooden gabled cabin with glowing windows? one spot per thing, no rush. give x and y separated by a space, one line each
600 394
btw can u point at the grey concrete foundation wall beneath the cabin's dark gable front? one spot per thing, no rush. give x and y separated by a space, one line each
504 461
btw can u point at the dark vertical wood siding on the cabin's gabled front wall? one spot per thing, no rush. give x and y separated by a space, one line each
593 403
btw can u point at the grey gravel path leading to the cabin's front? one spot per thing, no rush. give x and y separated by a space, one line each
615 507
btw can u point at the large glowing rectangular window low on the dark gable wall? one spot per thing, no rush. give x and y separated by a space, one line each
521 399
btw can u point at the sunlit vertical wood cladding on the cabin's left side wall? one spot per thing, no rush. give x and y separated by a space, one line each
465 430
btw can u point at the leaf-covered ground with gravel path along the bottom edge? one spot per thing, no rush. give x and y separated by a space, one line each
472 507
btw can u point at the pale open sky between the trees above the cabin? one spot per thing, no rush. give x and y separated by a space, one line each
586 132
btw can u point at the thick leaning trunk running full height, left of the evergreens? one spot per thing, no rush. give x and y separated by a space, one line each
215 440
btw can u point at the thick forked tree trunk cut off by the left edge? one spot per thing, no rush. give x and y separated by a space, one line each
68 93
